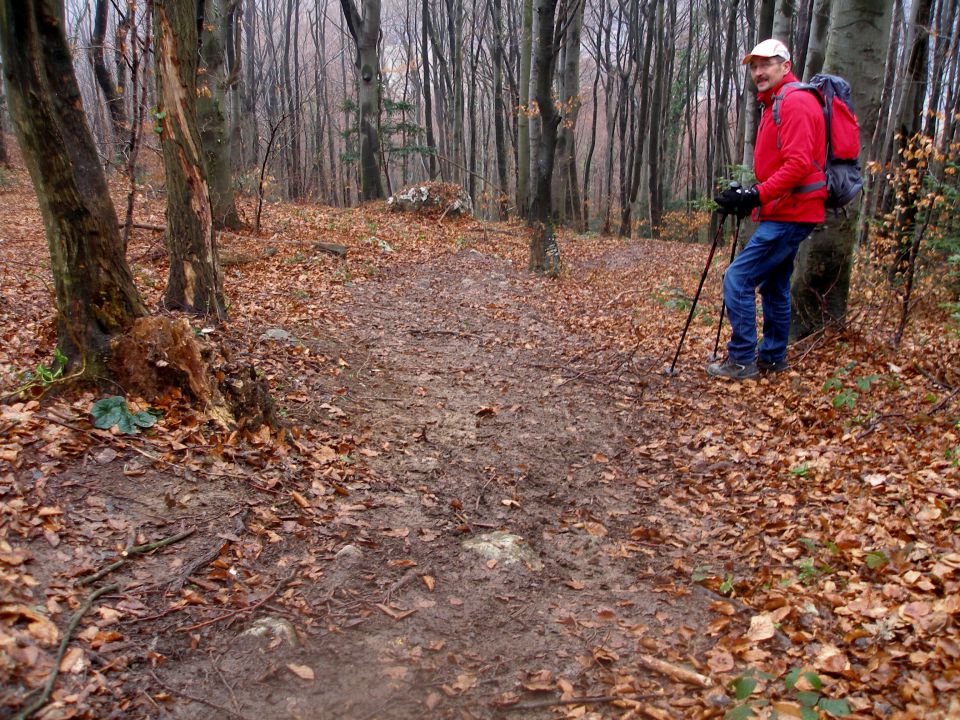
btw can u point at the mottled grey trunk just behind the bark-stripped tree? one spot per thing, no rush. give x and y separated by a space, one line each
211 111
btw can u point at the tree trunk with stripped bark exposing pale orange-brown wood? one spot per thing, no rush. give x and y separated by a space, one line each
194 283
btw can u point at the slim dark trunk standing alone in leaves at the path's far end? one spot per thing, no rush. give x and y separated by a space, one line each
544 251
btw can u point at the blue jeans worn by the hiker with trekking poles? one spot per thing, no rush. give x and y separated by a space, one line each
766 262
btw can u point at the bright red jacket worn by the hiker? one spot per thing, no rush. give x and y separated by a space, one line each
797 162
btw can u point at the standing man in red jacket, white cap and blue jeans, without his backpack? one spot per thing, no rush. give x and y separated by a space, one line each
787 202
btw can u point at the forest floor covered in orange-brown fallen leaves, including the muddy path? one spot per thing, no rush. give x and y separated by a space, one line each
487 501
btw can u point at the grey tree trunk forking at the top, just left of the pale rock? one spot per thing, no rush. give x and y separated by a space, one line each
366 33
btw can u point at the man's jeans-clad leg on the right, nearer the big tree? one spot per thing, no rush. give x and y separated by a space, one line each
775 296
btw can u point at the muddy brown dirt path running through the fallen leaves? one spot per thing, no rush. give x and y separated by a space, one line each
474 425
